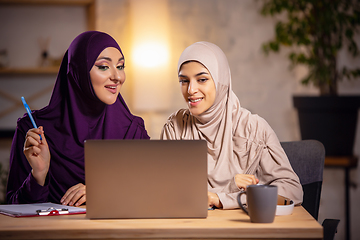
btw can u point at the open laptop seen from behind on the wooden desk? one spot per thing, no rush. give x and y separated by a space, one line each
146 179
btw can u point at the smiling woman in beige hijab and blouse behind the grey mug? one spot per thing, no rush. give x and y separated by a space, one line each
242 147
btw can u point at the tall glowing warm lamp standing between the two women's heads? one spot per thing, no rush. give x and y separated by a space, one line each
151 59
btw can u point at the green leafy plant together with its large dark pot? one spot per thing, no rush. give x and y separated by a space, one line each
317 30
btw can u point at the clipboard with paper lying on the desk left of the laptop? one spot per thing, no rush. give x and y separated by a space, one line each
29 210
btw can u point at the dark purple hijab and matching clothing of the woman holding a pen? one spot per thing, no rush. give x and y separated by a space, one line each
73 115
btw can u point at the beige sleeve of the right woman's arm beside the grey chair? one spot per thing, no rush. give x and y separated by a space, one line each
275 168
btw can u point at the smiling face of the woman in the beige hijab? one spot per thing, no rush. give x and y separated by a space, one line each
197 87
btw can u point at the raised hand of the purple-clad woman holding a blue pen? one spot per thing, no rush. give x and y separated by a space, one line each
37 153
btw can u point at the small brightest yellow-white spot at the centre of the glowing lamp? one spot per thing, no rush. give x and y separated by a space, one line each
150 54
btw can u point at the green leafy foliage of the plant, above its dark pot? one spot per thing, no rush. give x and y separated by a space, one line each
318 29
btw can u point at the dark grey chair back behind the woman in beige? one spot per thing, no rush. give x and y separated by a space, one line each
307 159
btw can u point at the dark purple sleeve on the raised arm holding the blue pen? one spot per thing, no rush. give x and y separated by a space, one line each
22 186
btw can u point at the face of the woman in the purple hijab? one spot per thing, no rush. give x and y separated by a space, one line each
107 75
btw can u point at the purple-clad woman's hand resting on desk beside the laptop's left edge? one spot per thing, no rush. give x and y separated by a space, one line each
74 196
